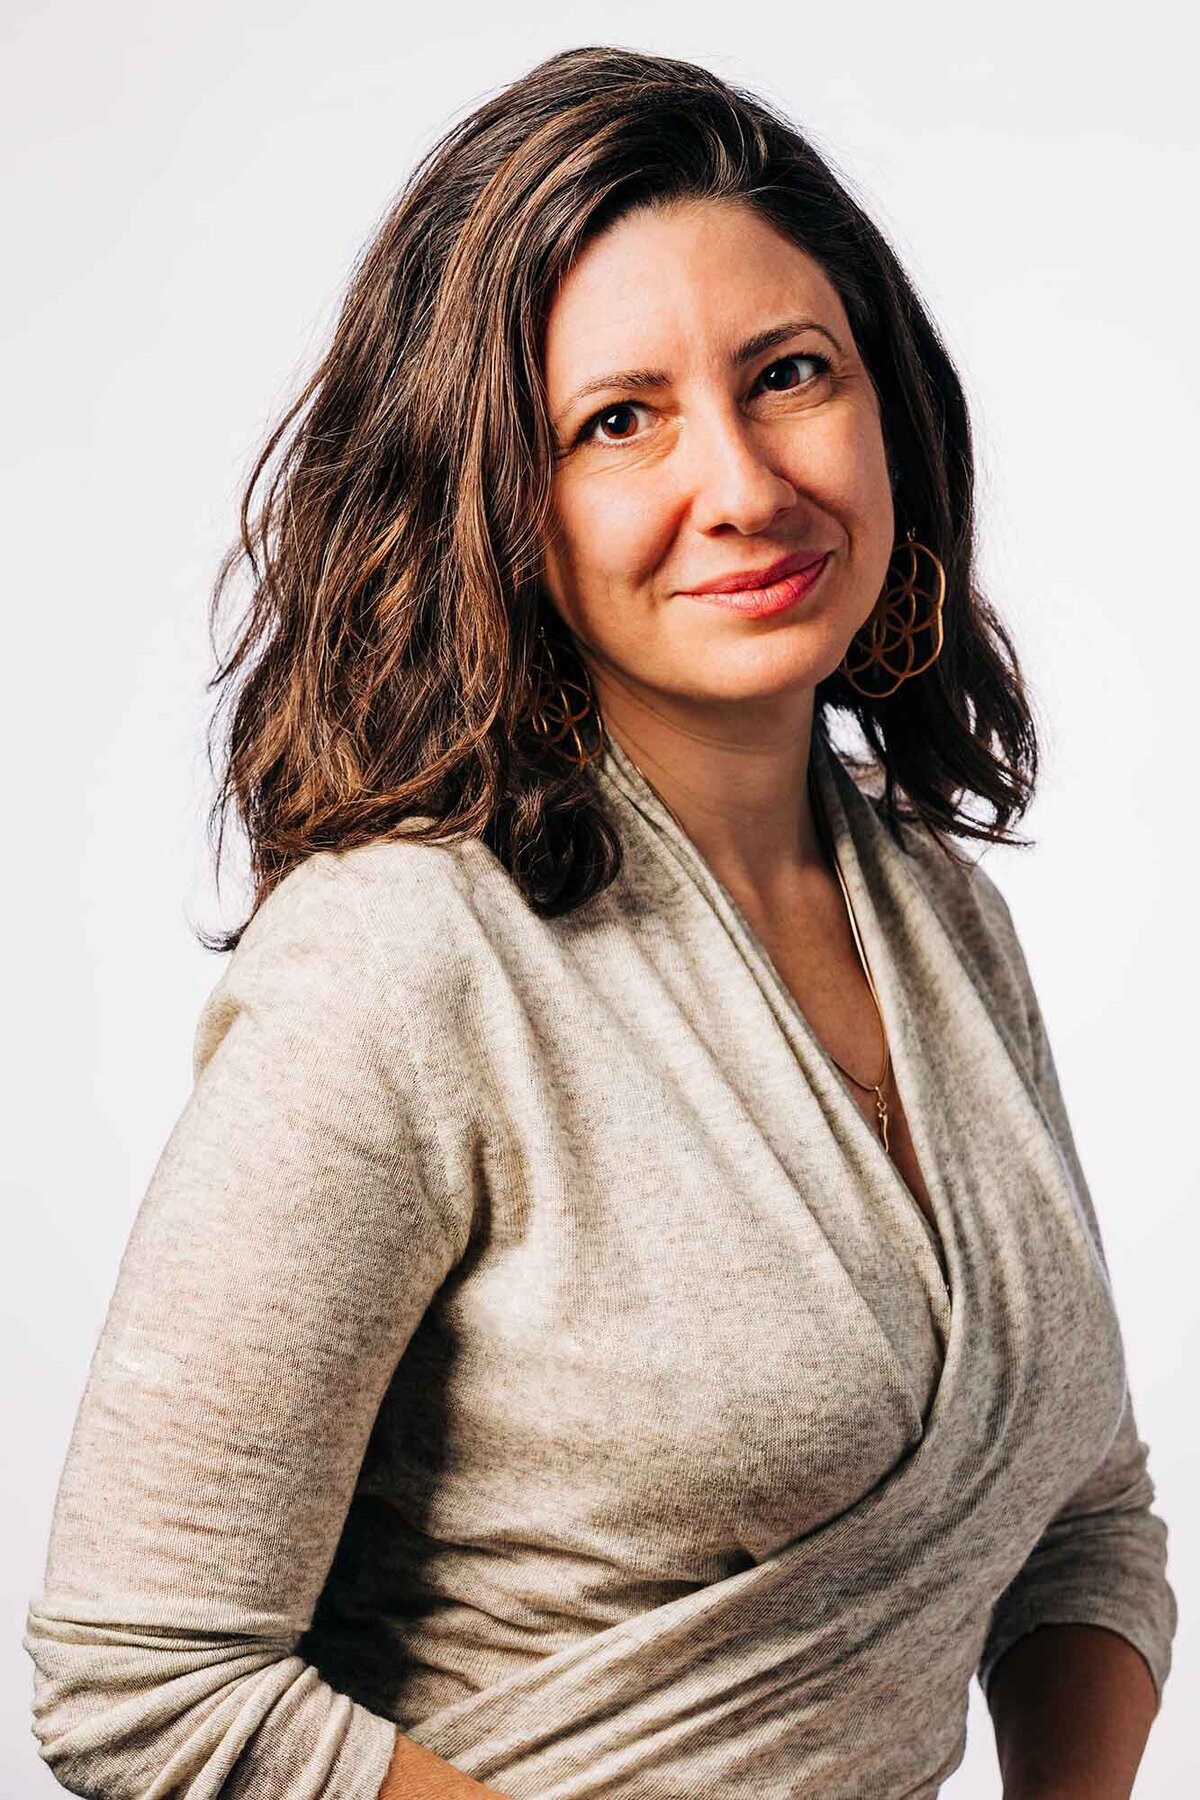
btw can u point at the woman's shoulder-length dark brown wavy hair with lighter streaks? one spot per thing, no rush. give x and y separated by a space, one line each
388 667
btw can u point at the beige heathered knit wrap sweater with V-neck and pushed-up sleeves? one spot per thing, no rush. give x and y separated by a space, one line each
526 1342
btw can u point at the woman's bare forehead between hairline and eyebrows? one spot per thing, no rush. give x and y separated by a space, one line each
672 287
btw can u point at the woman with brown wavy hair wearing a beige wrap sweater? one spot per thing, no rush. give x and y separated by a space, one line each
622 1311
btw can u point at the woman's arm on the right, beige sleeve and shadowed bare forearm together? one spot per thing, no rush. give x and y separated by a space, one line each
1080 1642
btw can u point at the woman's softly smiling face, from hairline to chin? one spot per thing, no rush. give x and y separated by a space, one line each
703 454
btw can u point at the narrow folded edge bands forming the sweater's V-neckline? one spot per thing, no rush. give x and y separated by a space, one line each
933 1241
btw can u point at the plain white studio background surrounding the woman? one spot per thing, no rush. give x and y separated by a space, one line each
186 192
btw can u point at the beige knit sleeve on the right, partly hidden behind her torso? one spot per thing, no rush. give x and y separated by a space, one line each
1102 1560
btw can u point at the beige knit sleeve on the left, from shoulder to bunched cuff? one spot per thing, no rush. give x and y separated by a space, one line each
287 1246
